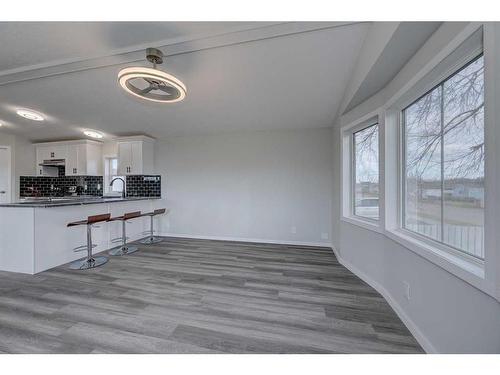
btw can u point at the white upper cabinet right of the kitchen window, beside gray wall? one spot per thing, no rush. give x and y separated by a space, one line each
135 155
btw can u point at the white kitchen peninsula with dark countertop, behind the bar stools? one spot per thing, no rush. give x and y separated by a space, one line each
34 235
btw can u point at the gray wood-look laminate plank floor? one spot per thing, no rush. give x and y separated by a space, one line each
201 296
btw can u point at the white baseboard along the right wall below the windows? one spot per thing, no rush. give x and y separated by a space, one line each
412 327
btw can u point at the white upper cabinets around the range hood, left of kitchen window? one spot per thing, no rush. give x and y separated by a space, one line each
80 158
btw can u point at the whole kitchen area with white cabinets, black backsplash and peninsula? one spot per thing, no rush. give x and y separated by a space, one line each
69 186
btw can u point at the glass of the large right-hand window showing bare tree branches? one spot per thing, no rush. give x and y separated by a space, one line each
443 167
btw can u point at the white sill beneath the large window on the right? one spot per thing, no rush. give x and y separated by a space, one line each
469 270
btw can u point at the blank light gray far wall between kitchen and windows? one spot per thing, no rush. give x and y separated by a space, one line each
249 185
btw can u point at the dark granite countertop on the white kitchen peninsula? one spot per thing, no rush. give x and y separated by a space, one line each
72 201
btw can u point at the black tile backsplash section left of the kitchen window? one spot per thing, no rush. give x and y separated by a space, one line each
33 186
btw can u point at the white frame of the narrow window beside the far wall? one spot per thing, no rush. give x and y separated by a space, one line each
348 170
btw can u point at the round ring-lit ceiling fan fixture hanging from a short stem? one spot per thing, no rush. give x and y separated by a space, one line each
150 83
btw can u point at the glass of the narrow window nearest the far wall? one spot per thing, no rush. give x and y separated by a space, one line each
366 171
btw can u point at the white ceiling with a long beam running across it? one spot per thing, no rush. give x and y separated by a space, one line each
240 76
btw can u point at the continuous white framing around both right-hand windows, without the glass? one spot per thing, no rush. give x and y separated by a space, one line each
483 275
